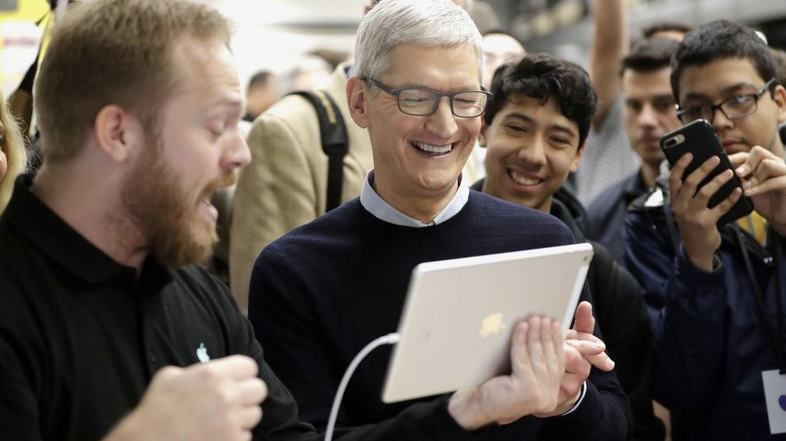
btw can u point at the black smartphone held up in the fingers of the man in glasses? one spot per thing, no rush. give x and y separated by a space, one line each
698 138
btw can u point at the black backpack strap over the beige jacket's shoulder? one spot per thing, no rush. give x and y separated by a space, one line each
335 143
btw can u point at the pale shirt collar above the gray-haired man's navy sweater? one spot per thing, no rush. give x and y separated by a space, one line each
383 211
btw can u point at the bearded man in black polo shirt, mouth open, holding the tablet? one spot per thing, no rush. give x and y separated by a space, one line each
106 332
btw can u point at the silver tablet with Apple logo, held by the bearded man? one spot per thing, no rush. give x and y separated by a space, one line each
457 320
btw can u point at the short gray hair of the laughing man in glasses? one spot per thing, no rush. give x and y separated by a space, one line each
421 22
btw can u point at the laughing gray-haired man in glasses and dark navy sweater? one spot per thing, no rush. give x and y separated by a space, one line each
322 292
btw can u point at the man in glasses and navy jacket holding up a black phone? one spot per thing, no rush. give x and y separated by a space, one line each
719 338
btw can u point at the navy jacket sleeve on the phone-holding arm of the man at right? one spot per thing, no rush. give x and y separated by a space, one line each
687 307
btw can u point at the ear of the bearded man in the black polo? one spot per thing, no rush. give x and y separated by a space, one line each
116 132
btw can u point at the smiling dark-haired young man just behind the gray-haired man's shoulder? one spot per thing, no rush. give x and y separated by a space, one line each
534 135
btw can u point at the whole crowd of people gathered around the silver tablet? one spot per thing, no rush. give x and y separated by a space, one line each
115 325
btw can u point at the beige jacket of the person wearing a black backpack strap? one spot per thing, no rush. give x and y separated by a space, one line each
285 185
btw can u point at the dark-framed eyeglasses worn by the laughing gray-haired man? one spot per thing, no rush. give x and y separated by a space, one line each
423 102
